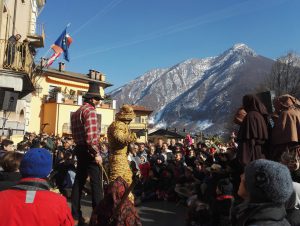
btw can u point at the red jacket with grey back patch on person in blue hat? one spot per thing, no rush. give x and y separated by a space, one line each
32 208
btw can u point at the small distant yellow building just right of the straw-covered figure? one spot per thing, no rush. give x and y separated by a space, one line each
139 125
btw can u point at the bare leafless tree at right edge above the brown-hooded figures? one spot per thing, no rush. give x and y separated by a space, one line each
284 77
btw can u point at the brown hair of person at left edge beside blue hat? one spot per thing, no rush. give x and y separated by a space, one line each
11 161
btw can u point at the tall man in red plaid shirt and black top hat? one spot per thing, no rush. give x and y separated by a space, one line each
84 125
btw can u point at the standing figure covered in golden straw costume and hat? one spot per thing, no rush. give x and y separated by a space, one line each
119 137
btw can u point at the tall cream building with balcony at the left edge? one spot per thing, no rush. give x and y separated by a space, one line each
17 61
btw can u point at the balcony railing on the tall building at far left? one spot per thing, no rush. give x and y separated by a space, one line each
16 56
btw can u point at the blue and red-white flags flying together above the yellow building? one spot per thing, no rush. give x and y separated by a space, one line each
61 45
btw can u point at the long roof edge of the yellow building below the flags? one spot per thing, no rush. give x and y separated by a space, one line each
74 76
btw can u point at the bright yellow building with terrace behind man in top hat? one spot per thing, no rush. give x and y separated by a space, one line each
58 94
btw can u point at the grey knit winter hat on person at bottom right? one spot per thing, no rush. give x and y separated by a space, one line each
268 181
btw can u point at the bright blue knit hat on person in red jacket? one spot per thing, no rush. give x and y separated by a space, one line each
37 162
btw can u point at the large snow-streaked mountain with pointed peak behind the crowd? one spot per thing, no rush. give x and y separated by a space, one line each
198 94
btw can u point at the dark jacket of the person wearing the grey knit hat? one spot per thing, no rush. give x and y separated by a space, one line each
262 214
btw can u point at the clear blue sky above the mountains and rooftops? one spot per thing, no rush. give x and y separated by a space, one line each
126 38
